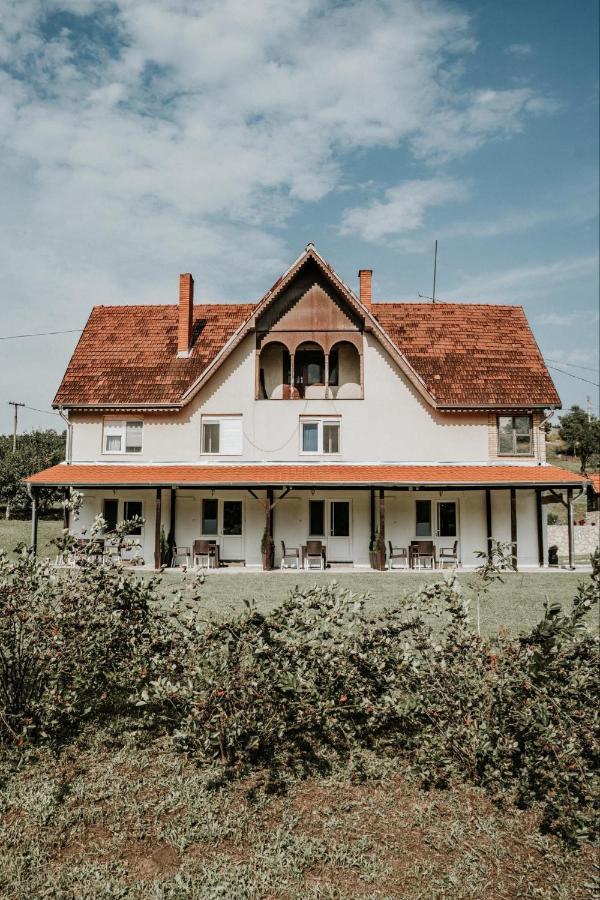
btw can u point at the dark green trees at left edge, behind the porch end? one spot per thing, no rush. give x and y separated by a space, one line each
36 450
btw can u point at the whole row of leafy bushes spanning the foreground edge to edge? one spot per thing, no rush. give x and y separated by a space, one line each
315 679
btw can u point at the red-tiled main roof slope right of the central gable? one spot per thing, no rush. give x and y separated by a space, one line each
470 355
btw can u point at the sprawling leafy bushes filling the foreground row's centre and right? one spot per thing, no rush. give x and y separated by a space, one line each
319 675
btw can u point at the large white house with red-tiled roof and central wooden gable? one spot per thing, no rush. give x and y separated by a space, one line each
314 414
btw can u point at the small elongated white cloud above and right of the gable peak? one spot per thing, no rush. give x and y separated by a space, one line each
402 209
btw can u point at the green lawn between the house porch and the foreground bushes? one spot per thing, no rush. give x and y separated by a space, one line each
516 604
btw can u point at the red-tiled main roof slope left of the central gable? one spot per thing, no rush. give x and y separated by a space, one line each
128 354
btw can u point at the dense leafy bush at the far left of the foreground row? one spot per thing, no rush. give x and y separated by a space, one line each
68 645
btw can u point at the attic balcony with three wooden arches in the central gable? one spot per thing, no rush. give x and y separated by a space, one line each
330 369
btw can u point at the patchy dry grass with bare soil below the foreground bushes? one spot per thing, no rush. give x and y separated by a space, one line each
134 821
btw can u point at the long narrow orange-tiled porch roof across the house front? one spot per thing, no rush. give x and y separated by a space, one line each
305 475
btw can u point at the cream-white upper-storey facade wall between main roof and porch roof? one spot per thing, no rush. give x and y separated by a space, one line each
392 424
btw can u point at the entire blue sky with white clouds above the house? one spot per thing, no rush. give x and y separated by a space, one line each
143 138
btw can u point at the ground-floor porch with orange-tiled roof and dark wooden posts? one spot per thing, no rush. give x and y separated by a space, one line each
349 509
